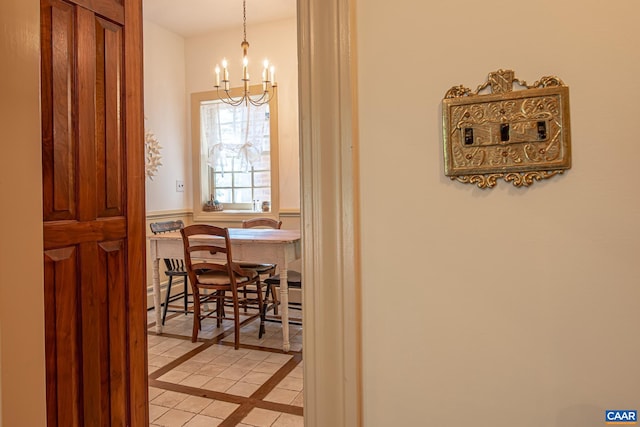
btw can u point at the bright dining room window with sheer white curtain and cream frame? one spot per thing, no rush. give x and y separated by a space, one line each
235 156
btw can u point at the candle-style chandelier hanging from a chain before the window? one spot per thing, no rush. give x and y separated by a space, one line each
269 84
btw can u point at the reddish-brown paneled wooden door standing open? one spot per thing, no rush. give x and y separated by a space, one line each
93 212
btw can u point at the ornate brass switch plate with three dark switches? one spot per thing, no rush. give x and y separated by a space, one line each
522 136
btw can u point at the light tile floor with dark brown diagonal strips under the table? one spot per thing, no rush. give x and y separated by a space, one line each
208 383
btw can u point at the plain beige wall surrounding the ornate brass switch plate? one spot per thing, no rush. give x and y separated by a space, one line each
524 302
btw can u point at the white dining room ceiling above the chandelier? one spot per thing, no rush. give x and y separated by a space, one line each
189 18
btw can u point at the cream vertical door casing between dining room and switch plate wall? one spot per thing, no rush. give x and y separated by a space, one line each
330 213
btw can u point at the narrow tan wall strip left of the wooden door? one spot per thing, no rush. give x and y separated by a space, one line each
22 372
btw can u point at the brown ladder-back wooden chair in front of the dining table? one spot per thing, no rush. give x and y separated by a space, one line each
219 276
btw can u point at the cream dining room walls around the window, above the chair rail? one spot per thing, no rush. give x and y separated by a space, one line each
175 67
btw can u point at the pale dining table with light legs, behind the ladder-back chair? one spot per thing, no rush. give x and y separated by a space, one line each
260 245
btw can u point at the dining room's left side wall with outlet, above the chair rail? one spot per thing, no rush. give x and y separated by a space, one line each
165 106
